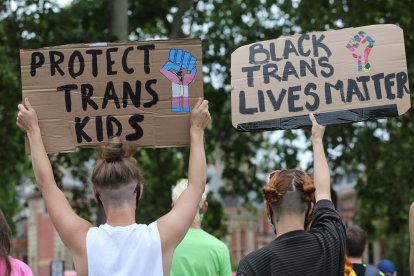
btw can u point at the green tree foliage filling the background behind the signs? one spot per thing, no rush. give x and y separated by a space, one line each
385 147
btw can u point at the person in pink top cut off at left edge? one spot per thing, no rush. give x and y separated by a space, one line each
9 266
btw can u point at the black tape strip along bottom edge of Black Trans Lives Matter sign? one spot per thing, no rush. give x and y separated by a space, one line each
328 118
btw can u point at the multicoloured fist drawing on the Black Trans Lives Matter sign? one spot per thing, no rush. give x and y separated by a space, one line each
362 59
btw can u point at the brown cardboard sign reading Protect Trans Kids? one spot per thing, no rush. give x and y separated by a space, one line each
86 93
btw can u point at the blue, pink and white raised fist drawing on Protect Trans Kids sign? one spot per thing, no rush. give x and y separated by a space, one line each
181 70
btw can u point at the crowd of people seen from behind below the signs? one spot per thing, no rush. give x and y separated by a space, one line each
309 235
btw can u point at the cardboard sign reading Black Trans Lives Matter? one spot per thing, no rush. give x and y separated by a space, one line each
348 75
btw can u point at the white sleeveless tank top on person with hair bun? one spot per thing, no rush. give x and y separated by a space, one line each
124 250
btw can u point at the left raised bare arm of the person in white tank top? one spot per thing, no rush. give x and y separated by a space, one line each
68 224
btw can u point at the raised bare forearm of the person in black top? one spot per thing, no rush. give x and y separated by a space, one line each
321 175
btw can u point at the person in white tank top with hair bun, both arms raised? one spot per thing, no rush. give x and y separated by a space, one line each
119 247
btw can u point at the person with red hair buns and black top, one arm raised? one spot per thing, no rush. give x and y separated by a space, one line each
310 237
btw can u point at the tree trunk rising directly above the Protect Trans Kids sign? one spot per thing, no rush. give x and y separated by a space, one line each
119 19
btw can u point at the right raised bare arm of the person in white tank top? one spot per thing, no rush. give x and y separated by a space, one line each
174 225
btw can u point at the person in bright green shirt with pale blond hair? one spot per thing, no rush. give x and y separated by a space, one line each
199 253
